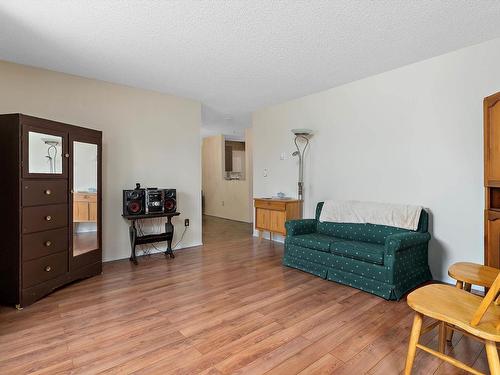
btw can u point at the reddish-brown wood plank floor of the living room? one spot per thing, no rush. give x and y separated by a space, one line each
228 307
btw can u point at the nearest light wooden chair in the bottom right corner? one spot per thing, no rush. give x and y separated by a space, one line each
459 310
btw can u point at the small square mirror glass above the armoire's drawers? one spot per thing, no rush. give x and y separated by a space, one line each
45 153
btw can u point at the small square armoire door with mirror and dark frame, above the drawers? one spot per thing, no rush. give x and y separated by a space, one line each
44 150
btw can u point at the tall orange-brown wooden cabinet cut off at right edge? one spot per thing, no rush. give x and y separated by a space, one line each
492 180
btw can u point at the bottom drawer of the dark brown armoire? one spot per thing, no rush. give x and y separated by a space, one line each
40 270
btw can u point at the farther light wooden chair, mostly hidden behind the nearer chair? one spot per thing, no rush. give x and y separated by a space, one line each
467 274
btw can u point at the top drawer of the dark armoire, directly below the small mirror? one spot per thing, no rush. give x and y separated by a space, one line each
42 192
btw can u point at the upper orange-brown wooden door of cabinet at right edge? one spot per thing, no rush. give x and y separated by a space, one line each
492 140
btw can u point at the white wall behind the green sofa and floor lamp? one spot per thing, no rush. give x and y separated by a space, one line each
412 135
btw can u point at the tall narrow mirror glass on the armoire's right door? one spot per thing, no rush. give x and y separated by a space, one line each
85 235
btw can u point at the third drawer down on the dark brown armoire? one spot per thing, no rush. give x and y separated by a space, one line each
40 244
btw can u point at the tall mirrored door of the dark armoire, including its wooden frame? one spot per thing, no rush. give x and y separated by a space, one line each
85 185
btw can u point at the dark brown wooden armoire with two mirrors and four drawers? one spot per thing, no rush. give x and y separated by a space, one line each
51 206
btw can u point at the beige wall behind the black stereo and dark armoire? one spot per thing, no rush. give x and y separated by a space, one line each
148 137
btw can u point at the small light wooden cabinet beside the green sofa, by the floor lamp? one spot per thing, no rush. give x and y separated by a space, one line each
271 214
